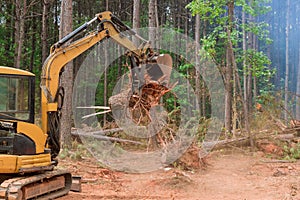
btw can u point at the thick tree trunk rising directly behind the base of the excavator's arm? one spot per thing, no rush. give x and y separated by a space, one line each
67 76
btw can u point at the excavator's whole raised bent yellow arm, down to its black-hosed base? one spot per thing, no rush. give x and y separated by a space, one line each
109 26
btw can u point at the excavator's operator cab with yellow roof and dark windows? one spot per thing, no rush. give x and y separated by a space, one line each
16 108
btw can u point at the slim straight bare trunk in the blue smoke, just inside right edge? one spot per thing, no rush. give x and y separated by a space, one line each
286 83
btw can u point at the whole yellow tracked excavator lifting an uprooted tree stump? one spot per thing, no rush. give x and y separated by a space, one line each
28 153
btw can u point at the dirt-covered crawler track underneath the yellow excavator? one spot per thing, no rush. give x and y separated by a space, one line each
48 185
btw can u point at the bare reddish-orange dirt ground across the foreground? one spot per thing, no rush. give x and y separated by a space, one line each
229 175
